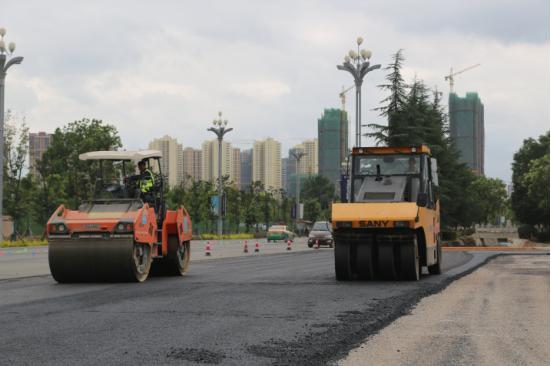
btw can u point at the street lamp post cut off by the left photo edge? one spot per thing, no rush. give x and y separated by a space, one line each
6 61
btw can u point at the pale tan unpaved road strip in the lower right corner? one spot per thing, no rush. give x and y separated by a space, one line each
498 315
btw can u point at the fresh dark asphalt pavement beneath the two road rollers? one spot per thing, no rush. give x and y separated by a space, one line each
255 310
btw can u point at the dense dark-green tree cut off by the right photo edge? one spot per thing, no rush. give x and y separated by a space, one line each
530 198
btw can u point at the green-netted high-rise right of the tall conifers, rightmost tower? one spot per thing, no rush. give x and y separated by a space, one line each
467 129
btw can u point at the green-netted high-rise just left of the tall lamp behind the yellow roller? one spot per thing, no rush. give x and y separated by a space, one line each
332 143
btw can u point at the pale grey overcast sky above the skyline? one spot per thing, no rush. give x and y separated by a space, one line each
166 67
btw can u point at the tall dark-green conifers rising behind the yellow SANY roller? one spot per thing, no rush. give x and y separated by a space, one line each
414 118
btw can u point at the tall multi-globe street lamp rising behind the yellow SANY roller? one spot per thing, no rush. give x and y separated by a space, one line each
357 64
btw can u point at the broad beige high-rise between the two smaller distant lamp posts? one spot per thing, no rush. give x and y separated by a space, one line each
267 163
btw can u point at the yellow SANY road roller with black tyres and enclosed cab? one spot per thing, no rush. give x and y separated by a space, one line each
388 227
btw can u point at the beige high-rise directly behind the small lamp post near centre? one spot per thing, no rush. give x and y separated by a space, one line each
210 161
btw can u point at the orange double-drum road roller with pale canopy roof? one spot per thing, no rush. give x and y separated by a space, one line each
122 234
